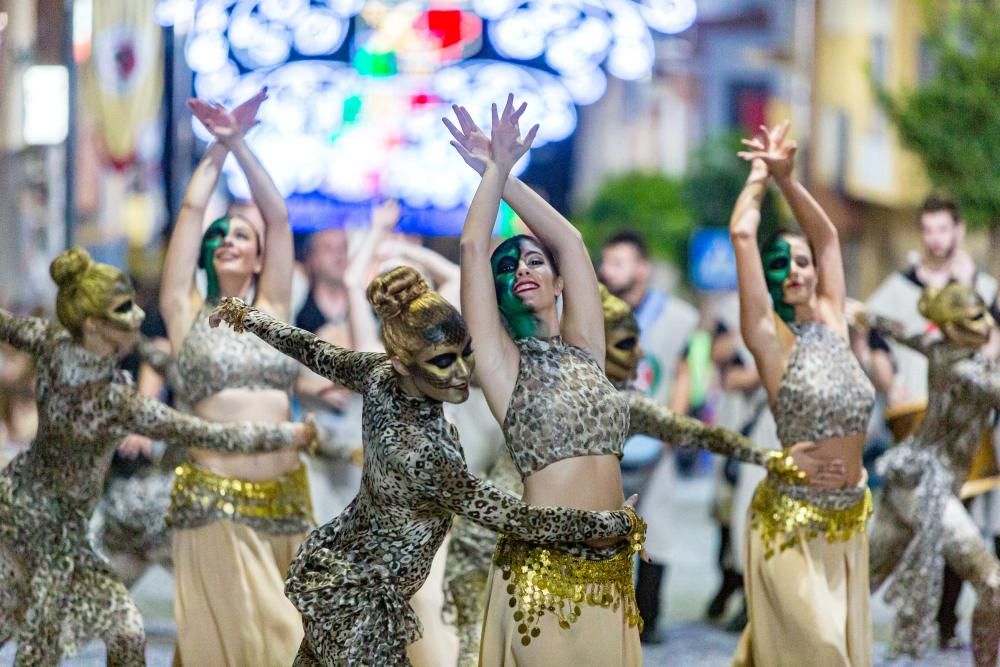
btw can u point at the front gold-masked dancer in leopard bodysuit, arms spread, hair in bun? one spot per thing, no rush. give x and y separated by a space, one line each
353 577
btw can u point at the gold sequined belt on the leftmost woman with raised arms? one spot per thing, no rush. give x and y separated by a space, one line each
200 492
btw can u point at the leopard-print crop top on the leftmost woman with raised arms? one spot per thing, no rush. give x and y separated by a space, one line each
211 360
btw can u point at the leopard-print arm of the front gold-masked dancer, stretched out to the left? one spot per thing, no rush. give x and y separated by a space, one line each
345 367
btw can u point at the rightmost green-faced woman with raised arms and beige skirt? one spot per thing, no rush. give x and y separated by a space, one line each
807 551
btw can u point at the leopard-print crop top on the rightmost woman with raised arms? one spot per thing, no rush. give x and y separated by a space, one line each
825 392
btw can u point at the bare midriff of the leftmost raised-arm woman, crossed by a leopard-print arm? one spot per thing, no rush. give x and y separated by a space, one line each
240 405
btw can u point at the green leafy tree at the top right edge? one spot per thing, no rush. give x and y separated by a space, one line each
952 119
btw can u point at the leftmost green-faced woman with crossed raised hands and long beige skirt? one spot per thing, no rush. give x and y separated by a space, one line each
237 518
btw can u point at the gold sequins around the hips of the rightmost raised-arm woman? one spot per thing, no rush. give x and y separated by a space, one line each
778 517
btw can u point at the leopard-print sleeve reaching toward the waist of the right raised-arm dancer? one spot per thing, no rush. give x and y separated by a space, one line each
647 417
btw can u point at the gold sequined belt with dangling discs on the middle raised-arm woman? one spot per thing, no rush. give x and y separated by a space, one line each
541 580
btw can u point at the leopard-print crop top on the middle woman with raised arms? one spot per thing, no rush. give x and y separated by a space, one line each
562 406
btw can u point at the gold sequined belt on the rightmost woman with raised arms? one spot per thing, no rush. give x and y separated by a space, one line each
779 510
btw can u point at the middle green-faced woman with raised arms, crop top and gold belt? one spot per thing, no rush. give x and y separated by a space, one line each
563 421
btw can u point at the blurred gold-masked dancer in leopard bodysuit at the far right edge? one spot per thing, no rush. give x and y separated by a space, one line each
921 521
